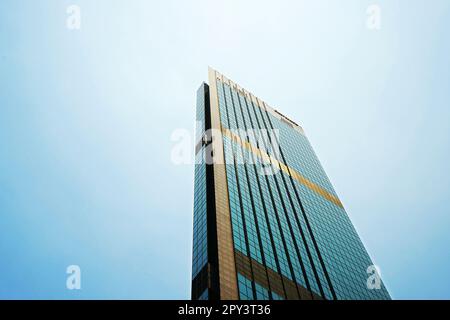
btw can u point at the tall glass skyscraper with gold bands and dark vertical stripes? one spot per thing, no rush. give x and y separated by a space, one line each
267 221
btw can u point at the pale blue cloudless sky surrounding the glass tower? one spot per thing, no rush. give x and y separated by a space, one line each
86 118
